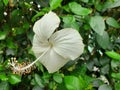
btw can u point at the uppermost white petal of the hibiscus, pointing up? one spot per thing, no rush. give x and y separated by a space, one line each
46 25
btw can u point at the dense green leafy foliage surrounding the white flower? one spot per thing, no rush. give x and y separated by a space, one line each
98 22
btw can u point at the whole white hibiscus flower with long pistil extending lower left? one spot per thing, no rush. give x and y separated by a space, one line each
54 48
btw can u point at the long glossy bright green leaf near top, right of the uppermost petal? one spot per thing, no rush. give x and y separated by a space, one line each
78 9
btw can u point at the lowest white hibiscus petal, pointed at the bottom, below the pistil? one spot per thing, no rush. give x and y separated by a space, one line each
53 61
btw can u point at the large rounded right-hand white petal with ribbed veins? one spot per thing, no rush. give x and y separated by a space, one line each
67 43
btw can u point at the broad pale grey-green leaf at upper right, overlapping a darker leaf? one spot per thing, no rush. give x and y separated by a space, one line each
97 24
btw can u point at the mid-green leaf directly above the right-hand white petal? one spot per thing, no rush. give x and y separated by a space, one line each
70 22
